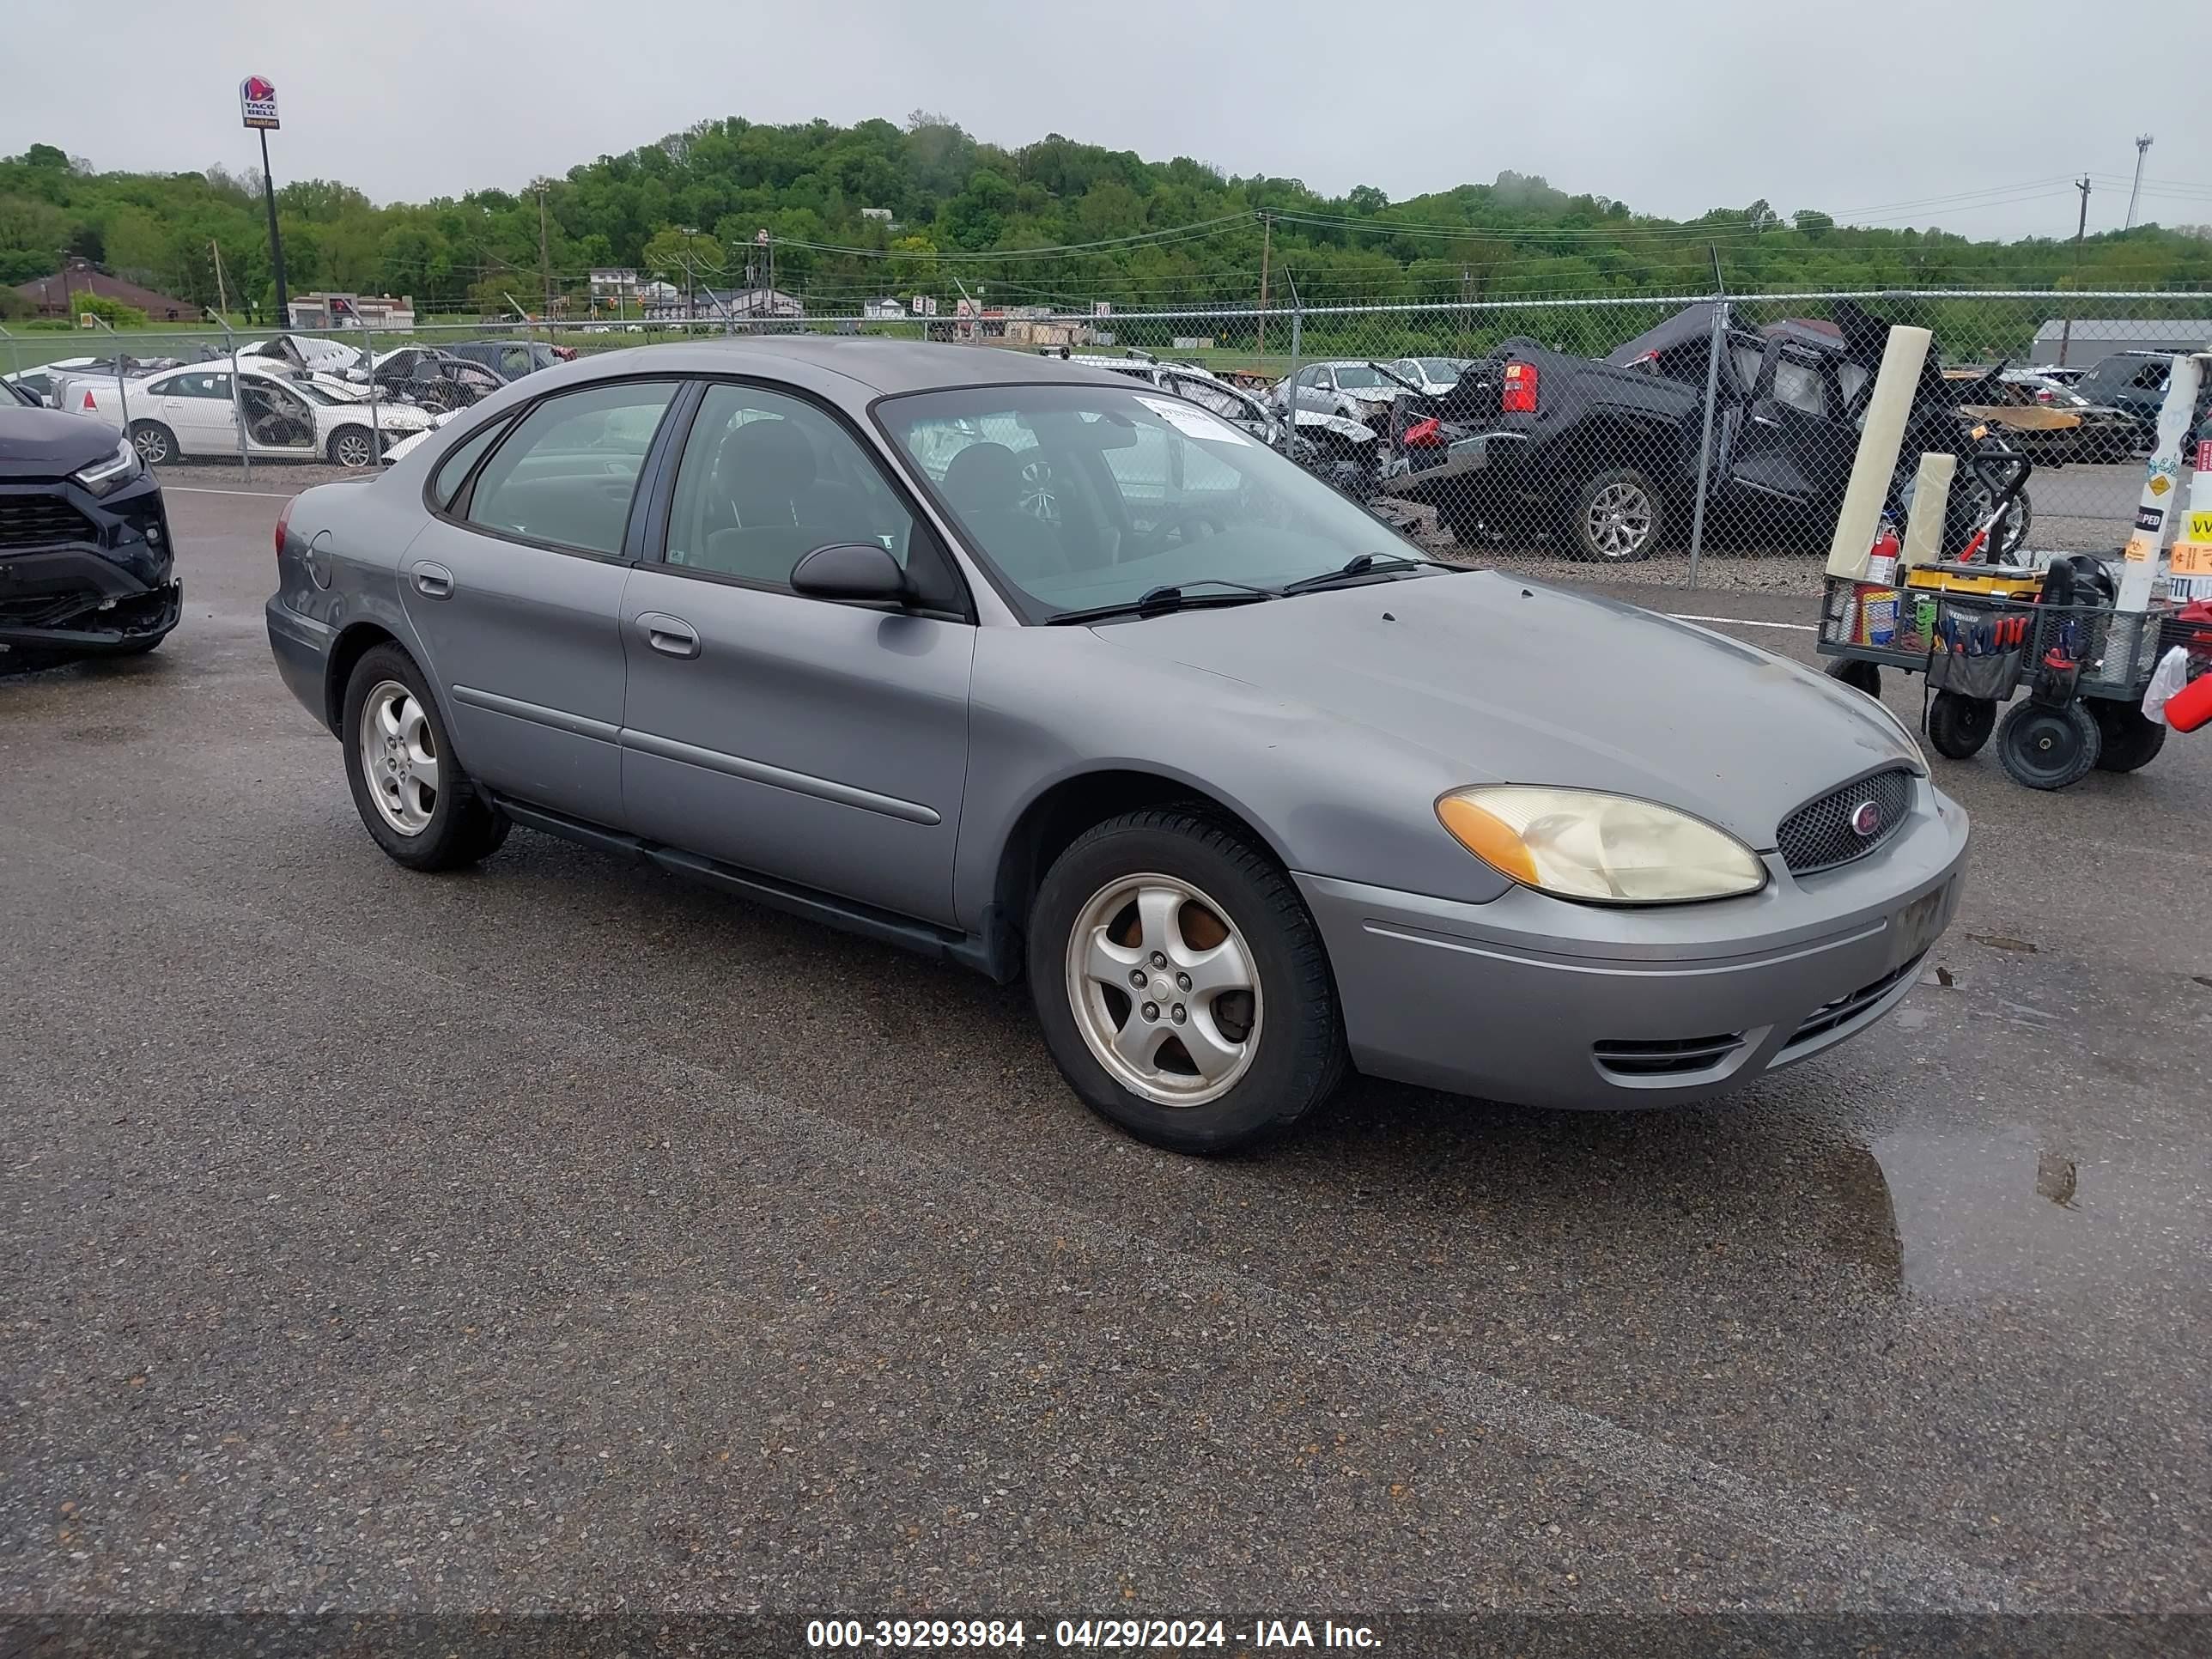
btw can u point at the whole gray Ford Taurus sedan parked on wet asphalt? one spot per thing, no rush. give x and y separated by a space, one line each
1034 669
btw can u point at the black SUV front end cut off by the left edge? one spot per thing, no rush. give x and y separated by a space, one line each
85 554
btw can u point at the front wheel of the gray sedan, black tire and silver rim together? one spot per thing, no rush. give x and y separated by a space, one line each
1182 985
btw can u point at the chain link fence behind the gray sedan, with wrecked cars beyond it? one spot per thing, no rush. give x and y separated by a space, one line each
1676 439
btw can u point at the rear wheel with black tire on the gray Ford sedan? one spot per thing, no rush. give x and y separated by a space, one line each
408 789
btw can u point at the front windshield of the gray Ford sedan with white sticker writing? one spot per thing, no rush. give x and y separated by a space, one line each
1094 497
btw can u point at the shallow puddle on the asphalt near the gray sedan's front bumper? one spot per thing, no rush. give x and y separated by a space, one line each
2012 1215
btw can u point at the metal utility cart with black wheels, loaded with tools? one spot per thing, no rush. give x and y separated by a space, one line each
1981 634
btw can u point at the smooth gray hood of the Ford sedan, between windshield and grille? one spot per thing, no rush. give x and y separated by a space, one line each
1512 682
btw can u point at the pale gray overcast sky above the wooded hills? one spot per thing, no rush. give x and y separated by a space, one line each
1892 114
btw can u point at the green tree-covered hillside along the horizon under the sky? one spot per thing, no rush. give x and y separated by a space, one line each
1054 222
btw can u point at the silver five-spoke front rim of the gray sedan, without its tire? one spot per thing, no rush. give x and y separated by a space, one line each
1165 990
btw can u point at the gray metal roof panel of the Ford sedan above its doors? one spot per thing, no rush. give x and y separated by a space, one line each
875 364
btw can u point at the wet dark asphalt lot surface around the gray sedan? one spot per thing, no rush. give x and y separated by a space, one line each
559 1235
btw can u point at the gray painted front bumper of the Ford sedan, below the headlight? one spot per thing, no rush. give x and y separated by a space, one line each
1545 1003
